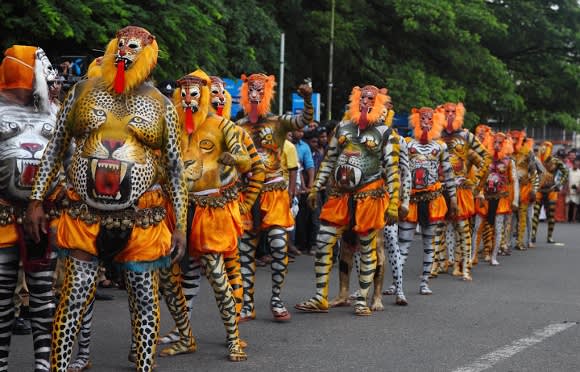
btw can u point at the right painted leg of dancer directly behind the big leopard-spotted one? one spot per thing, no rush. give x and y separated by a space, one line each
215 271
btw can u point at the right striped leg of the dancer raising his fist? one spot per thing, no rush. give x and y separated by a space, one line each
278 242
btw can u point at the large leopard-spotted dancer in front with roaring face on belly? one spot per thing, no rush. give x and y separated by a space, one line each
125 131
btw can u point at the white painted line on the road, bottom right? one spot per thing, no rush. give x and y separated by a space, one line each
496 356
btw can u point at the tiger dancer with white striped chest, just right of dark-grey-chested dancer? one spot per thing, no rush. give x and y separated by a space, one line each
427 204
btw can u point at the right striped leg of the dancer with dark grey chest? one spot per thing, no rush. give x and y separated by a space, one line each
368 265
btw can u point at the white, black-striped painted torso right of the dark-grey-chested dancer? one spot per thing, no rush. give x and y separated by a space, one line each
424 162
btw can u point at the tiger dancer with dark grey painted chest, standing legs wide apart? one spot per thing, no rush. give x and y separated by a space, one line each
362 164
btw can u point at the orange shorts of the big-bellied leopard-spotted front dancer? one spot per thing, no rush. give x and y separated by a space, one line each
144 245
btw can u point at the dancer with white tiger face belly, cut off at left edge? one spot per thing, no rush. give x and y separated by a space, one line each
27 120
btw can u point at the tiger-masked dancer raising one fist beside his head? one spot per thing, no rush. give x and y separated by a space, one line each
271 212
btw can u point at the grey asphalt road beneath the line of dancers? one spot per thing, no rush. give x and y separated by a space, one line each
519 316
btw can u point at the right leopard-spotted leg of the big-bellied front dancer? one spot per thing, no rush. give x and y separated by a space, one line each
143 289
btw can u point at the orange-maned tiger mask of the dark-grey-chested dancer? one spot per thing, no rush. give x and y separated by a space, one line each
360 98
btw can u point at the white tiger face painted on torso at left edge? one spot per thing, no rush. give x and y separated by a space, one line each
24 135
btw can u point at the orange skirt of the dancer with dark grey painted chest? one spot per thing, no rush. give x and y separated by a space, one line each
369 213
